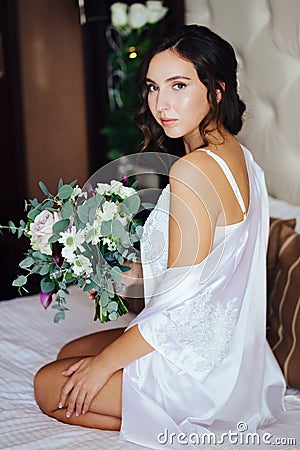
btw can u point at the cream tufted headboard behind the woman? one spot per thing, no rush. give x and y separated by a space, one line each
266 37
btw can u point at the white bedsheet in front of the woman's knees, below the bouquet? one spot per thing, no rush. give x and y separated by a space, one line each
28 340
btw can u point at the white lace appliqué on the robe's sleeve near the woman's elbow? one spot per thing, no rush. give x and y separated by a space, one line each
199 345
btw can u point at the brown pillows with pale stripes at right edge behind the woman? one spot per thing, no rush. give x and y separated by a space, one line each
283 289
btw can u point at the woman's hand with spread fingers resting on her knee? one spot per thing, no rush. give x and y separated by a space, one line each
86 379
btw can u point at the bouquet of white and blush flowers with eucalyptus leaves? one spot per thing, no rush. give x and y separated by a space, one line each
83 238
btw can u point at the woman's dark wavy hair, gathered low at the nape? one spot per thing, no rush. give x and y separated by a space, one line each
216 65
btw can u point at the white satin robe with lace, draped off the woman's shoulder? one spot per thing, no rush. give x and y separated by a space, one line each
212 369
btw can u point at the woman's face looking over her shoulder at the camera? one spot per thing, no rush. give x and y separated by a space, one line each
176 97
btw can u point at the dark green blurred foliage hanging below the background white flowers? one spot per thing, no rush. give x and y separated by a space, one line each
127 52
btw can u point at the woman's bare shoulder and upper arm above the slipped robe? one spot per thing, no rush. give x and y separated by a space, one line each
194 208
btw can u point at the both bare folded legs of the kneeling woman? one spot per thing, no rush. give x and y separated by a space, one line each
105 411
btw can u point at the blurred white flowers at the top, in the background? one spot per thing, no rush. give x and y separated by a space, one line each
137 15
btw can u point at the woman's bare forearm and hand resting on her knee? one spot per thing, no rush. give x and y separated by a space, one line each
89 375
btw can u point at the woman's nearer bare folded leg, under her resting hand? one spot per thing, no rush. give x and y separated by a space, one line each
105 411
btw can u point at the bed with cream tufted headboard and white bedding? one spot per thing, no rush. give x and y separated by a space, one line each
28 336
